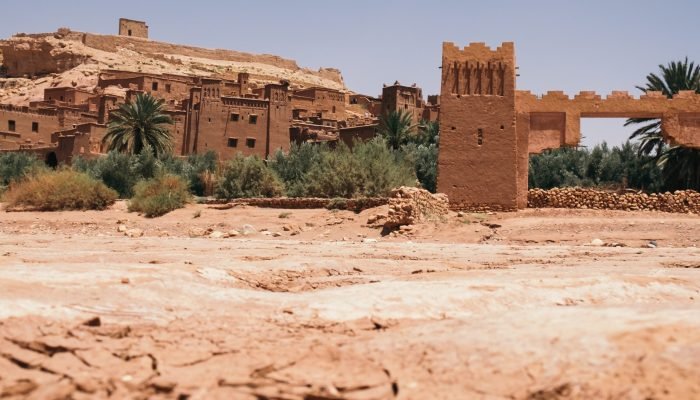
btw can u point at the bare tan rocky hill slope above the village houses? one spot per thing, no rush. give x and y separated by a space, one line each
32 62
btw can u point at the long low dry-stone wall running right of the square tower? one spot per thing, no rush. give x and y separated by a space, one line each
680 201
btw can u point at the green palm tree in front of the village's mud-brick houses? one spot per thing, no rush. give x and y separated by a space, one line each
138 125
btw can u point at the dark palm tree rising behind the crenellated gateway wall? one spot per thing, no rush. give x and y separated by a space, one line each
680 166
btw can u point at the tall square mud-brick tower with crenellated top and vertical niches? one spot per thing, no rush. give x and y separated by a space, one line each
477 163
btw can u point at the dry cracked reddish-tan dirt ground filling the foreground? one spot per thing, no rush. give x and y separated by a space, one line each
493 306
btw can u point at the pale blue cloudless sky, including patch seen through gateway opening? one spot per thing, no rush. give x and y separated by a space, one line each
560 45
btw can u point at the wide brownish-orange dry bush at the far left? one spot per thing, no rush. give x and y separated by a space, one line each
60 190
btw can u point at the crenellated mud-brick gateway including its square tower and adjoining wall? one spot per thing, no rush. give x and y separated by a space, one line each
488 128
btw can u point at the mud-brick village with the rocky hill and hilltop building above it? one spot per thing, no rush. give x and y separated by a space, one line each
57 91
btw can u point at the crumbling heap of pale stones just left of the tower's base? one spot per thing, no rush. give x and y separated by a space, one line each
409 206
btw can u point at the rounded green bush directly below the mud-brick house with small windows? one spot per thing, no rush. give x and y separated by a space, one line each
247 177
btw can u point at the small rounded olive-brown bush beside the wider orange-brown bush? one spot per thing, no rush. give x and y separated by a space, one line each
158 196
